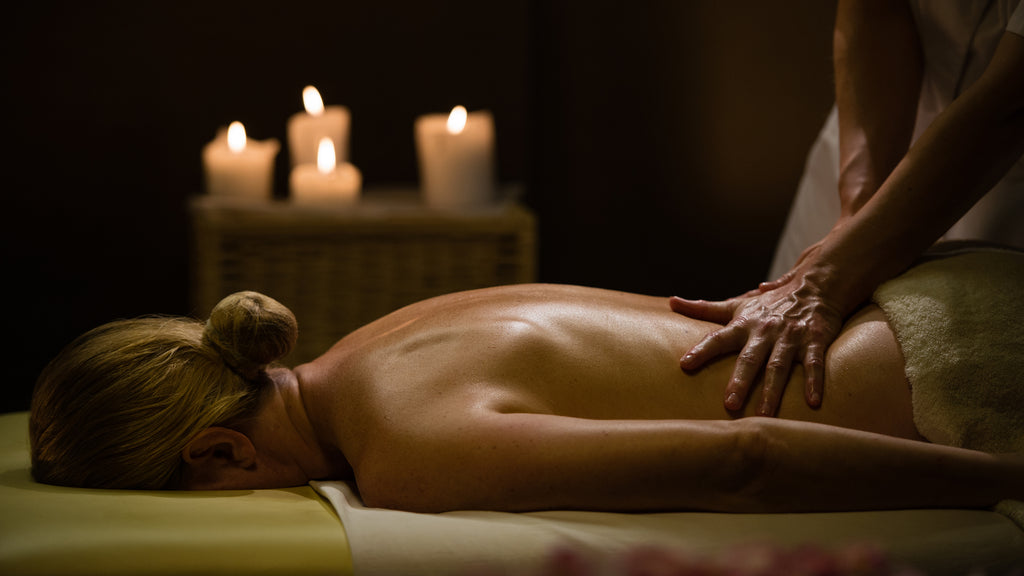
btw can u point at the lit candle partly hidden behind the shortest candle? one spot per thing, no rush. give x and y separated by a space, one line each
306 130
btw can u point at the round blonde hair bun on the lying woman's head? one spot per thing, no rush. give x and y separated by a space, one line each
250 331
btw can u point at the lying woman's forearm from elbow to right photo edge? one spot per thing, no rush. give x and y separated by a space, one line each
812 468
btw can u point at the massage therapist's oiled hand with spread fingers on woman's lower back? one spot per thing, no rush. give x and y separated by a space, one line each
785 322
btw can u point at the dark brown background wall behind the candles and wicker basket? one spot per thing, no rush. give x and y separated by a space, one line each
660 143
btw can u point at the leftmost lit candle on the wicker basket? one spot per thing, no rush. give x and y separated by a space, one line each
237 167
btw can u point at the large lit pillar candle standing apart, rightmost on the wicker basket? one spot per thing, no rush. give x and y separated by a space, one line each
457 159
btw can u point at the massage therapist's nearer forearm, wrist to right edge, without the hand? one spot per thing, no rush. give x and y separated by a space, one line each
962 155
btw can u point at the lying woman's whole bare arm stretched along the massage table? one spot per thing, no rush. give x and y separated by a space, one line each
537 462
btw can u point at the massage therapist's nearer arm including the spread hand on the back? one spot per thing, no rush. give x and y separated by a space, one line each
961 156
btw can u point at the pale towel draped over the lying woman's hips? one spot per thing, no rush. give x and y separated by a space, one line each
960 322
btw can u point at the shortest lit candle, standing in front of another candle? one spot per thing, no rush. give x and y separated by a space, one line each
326 183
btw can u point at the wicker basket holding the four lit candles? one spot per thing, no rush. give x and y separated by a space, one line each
338 269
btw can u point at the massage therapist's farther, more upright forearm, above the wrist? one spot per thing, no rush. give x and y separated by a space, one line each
878 64
